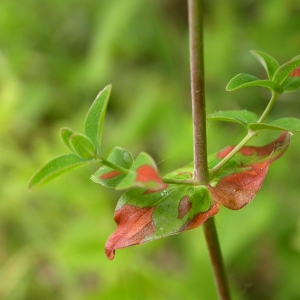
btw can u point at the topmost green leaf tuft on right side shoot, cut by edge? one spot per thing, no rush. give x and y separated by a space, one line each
279 80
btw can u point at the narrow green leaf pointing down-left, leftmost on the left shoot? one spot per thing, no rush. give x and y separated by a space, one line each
55 167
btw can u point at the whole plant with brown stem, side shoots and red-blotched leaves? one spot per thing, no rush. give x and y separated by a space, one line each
156 206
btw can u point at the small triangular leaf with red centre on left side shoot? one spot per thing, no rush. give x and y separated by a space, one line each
143 173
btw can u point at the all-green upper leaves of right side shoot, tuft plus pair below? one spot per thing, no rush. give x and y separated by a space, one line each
281 79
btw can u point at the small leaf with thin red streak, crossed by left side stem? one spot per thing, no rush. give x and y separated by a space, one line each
110 177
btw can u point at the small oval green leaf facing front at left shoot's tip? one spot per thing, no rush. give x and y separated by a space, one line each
82 146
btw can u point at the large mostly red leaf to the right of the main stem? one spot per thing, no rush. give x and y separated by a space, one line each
239 180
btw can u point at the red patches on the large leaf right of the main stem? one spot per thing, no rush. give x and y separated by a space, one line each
238 189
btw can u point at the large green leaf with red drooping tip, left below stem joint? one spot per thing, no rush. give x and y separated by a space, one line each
143 216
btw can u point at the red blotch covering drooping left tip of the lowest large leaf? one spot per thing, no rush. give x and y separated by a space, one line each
133 225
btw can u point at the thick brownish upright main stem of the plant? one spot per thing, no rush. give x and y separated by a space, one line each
201 174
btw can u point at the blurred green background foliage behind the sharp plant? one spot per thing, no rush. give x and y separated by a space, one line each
55 56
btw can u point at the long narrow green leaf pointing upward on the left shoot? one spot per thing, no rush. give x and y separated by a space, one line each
95 117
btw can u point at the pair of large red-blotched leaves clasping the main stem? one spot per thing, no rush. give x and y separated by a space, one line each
145 215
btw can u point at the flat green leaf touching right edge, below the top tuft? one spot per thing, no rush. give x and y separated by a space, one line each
284 124
